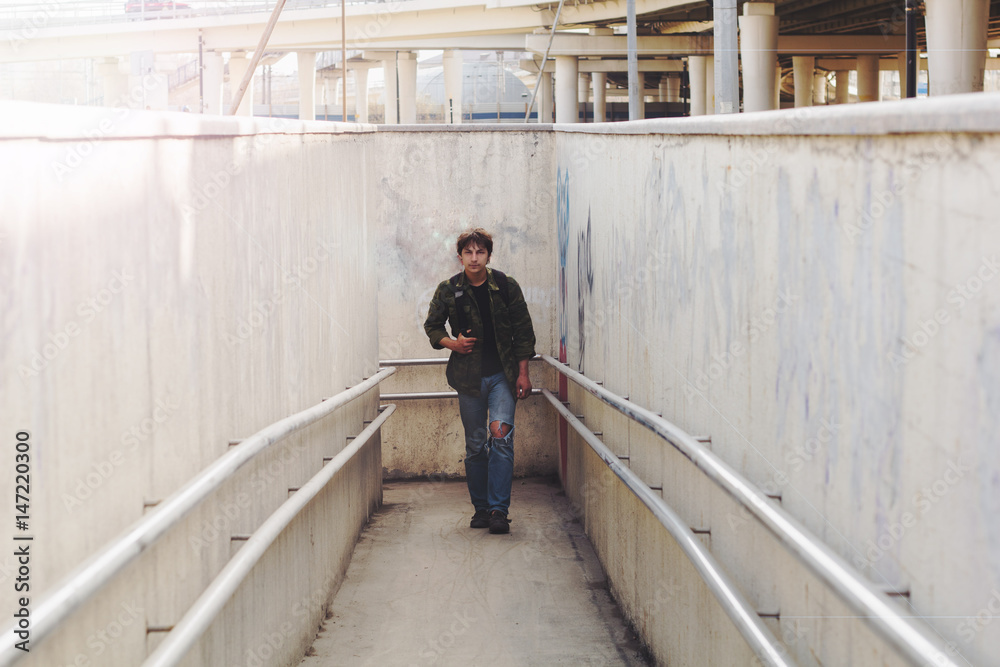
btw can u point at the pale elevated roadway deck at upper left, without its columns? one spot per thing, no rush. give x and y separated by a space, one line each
413 23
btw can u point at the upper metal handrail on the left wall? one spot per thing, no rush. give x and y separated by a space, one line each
98 570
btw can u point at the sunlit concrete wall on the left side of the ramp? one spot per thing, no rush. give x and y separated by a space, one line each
171 283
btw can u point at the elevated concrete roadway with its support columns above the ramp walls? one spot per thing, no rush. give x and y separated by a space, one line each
778 40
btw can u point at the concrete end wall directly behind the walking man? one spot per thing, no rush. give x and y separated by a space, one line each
426 188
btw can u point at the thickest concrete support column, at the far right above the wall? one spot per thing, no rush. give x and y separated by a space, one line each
956 45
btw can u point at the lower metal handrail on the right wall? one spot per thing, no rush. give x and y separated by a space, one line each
764 644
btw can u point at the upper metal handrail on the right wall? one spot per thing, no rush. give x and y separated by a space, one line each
909 639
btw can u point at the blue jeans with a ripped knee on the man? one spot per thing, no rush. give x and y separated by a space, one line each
489 460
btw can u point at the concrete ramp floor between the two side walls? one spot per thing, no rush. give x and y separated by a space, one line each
425 589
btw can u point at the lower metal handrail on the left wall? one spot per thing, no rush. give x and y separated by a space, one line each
208 605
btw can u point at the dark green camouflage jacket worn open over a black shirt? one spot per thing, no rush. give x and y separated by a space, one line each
511 323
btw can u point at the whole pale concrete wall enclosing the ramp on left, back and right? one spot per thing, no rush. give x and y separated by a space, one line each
813 289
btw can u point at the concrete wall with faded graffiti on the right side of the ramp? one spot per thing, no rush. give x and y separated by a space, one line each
817 291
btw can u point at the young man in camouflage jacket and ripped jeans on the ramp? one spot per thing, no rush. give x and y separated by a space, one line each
493 341
